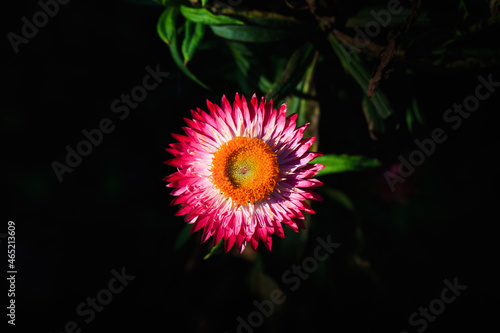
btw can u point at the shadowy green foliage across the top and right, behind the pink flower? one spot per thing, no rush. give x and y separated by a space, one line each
275 49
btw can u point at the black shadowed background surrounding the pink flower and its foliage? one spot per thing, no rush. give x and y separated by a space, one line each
113 211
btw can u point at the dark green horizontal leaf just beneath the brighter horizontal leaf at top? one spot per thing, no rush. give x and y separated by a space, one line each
248 33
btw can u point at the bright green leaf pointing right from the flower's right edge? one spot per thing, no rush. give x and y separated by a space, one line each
342 163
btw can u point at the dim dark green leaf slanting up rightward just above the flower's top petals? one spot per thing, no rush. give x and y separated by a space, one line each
294 71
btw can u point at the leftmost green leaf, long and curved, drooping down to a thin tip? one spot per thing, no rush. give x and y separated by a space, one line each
166 30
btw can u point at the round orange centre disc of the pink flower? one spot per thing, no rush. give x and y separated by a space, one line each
244 169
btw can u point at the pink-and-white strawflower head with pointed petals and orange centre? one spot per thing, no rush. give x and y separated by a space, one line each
243 172
